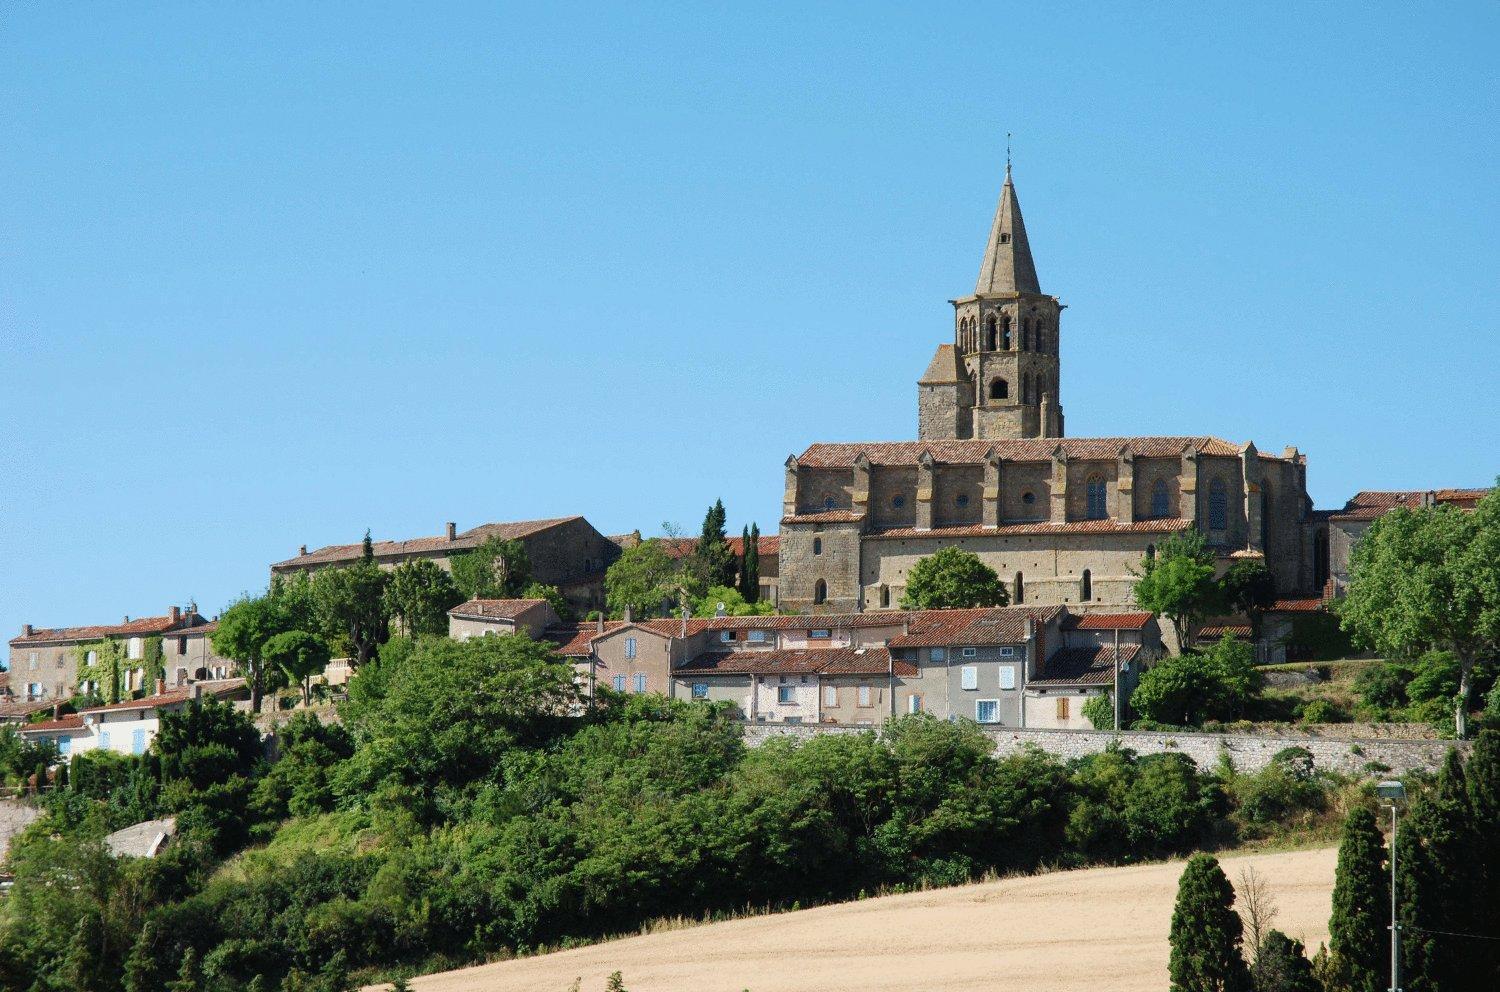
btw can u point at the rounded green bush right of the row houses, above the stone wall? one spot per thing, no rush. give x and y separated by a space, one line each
1193 688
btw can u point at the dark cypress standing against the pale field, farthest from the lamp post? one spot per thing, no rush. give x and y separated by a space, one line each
1207 933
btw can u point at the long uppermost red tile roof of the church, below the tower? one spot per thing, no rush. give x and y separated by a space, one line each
974 452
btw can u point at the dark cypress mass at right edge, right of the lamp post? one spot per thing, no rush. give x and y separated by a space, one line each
1436 889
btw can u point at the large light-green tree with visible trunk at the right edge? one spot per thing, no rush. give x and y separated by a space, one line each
1430 580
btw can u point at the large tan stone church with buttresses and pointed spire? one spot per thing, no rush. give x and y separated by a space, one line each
1064 522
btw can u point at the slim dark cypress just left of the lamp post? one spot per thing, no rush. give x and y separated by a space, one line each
1360 930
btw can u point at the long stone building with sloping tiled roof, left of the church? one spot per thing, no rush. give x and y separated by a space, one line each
566 553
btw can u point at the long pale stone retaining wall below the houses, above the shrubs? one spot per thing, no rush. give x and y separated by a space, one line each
1250 753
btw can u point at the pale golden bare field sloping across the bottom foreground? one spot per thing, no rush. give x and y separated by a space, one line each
1103 928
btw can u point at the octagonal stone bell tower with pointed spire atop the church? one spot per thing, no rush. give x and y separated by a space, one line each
1000 377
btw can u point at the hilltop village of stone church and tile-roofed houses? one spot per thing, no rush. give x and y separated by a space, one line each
1066 523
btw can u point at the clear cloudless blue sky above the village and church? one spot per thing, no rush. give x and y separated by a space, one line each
275 274
